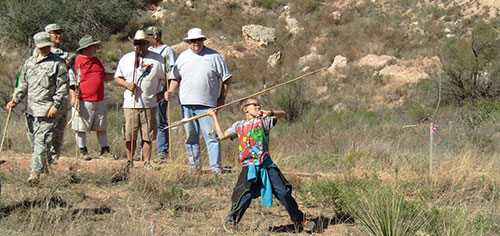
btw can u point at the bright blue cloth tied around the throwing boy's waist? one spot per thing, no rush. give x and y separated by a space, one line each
266 189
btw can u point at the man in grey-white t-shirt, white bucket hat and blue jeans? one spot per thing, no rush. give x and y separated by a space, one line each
201 71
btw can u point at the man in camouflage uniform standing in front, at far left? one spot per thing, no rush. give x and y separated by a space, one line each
45 83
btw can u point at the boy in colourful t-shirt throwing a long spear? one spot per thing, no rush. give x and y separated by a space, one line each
259 175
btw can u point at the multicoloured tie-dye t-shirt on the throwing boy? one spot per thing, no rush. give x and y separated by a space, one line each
253 136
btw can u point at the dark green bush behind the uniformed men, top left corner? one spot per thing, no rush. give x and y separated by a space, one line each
20 20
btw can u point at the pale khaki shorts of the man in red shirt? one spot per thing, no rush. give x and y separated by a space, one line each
93 116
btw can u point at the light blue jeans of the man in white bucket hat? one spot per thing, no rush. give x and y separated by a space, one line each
193 137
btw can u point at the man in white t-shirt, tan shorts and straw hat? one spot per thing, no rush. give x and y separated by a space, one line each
143 88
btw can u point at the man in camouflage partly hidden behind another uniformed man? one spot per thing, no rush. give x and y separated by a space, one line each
55 31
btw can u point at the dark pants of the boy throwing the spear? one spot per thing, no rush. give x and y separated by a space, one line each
280 191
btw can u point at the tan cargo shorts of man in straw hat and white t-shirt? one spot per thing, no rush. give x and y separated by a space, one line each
144 123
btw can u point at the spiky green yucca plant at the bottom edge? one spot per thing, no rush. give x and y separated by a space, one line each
386 213
